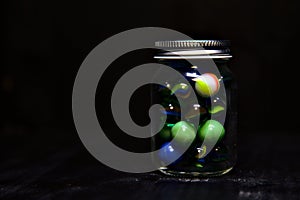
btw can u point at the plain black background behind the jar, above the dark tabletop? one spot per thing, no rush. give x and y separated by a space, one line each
45 42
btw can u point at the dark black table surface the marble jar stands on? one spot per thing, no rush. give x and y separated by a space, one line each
48 167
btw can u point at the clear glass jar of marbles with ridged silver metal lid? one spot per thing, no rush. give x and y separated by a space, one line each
203 65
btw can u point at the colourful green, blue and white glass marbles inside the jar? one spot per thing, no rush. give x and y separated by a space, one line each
206 86
